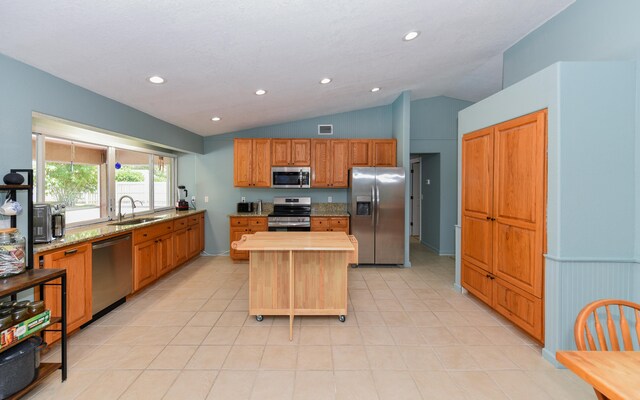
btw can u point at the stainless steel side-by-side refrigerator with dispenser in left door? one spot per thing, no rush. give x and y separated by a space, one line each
375 201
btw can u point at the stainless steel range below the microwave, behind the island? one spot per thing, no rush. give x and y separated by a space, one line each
290 214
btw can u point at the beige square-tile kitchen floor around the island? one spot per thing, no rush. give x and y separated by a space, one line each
408 335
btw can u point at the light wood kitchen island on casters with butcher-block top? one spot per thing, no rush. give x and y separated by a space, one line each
298 273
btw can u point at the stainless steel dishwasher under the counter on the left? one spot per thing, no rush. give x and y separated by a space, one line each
112 273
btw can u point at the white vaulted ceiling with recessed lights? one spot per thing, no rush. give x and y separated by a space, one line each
214 55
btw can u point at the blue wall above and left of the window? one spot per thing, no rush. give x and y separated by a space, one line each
24 89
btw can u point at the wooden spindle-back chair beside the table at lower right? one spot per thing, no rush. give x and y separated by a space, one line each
614 330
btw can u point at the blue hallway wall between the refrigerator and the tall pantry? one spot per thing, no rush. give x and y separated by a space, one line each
434 130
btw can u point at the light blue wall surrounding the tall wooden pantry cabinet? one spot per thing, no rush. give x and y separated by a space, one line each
590 225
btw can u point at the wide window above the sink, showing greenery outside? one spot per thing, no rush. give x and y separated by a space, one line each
90 178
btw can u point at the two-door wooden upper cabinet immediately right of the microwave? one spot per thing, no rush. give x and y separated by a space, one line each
329 163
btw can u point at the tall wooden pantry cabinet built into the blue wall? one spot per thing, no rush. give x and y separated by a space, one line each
503 218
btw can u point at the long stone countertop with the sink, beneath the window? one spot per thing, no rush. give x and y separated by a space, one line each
104 229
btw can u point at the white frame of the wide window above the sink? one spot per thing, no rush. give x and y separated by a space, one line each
112 202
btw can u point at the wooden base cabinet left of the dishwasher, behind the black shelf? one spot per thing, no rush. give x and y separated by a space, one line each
76 260
